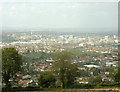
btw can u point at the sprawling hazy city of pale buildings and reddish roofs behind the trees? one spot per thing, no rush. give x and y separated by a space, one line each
91 51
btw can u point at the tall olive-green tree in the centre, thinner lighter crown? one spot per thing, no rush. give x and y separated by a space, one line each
64 69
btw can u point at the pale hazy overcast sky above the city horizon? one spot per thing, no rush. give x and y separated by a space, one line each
60 15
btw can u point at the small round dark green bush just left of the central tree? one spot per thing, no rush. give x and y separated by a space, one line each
46 79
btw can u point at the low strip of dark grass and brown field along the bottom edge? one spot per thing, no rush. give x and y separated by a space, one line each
82 88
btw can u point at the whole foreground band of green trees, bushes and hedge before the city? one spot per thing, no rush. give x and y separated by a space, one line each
62 74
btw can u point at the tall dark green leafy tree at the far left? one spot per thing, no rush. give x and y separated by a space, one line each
11 64
